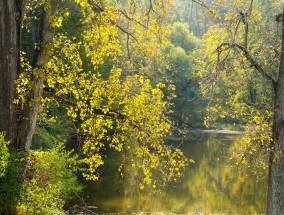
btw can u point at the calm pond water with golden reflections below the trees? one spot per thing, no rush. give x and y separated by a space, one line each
209 186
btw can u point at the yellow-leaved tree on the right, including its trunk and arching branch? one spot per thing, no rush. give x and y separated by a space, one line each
241 44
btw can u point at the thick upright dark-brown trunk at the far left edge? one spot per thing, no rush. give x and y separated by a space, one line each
10 26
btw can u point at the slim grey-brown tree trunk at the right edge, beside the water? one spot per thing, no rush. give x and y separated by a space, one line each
275 199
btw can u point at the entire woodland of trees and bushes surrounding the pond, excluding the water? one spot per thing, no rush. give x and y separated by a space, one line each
79 78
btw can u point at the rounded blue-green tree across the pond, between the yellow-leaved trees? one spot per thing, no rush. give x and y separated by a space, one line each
187 102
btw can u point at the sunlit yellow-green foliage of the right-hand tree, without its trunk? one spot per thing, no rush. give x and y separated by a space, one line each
235 89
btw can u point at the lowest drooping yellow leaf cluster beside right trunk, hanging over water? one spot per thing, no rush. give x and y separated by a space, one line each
253 153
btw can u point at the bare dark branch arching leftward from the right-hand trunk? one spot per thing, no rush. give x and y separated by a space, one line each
249 57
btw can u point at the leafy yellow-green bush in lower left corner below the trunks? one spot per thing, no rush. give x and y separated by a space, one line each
36 182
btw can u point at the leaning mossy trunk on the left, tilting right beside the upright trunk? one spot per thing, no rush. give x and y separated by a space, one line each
33 104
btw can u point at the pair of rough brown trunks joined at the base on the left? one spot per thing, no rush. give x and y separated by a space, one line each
19 125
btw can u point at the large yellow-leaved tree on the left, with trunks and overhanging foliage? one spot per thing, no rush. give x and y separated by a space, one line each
115 107
